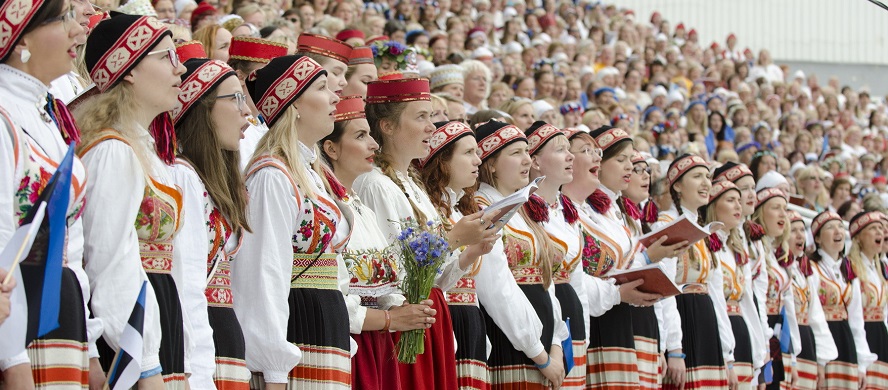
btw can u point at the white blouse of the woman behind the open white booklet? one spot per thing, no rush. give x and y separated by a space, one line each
518 320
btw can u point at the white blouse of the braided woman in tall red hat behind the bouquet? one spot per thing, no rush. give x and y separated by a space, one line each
385 198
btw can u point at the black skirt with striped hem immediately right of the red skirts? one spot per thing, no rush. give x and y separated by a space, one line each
471 355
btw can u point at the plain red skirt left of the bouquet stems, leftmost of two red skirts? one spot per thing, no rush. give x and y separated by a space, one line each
373 367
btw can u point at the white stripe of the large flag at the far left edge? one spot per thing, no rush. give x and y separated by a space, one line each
15 328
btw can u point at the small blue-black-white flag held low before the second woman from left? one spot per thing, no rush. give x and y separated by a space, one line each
127 365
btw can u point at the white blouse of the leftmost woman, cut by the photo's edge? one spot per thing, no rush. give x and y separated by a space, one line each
23 97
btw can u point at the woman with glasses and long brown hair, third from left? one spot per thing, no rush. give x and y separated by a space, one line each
210 120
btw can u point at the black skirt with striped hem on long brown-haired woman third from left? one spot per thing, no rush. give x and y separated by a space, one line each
228 339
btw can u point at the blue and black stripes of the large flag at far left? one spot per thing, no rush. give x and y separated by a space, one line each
42 268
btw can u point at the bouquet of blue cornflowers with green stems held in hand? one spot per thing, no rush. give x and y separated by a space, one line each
423 251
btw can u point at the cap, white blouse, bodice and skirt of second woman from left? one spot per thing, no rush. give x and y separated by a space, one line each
142 196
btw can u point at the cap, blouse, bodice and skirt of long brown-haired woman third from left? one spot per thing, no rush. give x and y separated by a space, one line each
206 243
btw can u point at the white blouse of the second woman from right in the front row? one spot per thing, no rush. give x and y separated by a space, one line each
831 269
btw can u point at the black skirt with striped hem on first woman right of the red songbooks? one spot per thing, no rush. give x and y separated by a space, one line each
701 342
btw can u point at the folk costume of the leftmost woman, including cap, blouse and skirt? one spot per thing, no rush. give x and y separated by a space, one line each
35 136
